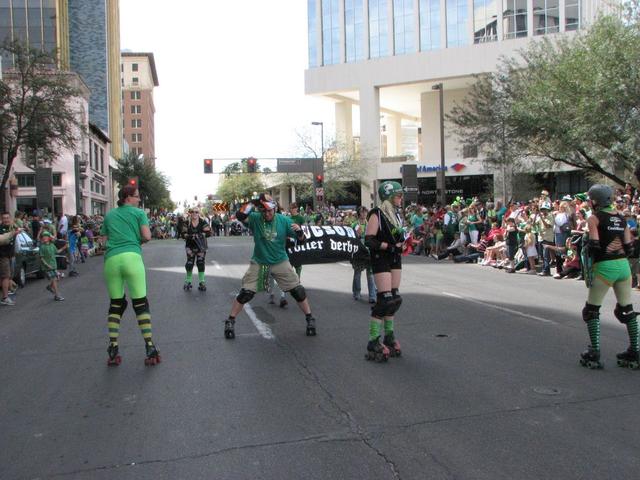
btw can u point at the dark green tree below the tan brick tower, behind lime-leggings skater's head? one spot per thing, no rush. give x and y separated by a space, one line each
152 185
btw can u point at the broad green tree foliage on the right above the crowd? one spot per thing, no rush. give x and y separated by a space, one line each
572 100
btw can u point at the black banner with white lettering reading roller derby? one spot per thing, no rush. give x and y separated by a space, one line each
327 244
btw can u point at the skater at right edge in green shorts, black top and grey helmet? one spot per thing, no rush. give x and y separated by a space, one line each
609 245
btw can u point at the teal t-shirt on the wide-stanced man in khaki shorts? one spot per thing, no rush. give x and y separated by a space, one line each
270 238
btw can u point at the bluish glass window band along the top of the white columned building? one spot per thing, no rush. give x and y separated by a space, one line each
400 27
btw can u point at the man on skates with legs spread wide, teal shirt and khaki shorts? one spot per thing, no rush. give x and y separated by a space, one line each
270 232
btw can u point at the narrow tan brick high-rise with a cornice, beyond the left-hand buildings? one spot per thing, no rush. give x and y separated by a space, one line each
139 78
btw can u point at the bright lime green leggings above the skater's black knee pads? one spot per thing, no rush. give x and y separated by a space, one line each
128 268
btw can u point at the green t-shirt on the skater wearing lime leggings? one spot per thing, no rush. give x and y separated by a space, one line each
122 227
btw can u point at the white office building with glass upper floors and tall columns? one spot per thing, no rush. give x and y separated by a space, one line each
378 60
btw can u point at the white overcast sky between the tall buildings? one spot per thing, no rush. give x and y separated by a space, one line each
231 75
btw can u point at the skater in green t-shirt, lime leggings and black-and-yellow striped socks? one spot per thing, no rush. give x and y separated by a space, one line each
124 229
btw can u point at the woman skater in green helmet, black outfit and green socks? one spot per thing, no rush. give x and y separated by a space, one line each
384 237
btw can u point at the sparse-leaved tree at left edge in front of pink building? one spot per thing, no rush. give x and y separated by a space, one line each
37 113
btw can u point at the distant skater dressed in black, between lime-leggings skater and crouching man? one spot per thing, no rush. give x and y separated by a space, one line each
195 231
